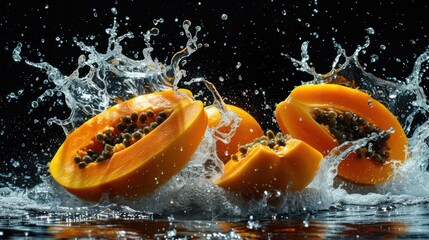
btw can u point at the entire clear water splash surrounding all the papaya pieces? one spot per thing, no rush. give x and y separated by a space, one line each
111 76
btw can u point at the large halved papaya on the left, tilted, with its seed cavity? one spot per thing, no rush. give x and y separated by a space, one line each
131 148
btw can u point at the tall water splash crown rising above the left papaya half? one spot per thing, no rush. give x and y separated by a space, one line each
110 76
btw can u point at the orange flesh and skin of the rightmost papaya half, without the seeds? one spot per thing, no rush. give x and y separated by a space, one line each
294 117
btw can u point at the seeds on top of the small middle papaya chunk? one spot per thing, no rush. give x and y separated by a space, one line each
273 141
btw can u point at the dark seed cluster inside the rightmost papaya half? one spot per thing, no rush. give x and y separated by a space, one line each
347 126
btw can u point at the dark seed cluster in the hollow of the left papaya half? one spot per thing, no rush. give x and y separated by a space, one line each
113 139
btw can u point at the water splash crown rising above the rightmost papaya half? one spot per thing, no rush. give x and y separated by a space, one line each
404 98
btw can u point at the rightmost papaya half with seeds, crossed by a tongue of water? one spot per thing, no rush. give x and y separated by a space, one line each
326 115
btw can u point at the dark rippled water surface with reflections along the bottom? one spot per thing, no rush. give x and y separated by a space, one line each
388 221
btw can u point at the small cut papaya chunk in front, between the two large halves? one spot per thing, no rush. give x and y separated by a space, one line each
271 162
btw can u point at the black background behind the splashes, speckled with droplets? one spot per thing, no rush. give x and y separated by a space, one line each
255 34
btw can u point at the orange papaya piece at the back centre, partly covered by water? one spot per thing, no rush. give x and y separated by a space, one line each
248 130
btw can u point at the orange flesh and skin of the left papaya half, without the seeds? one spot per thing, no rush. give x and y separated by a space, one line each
142 167
